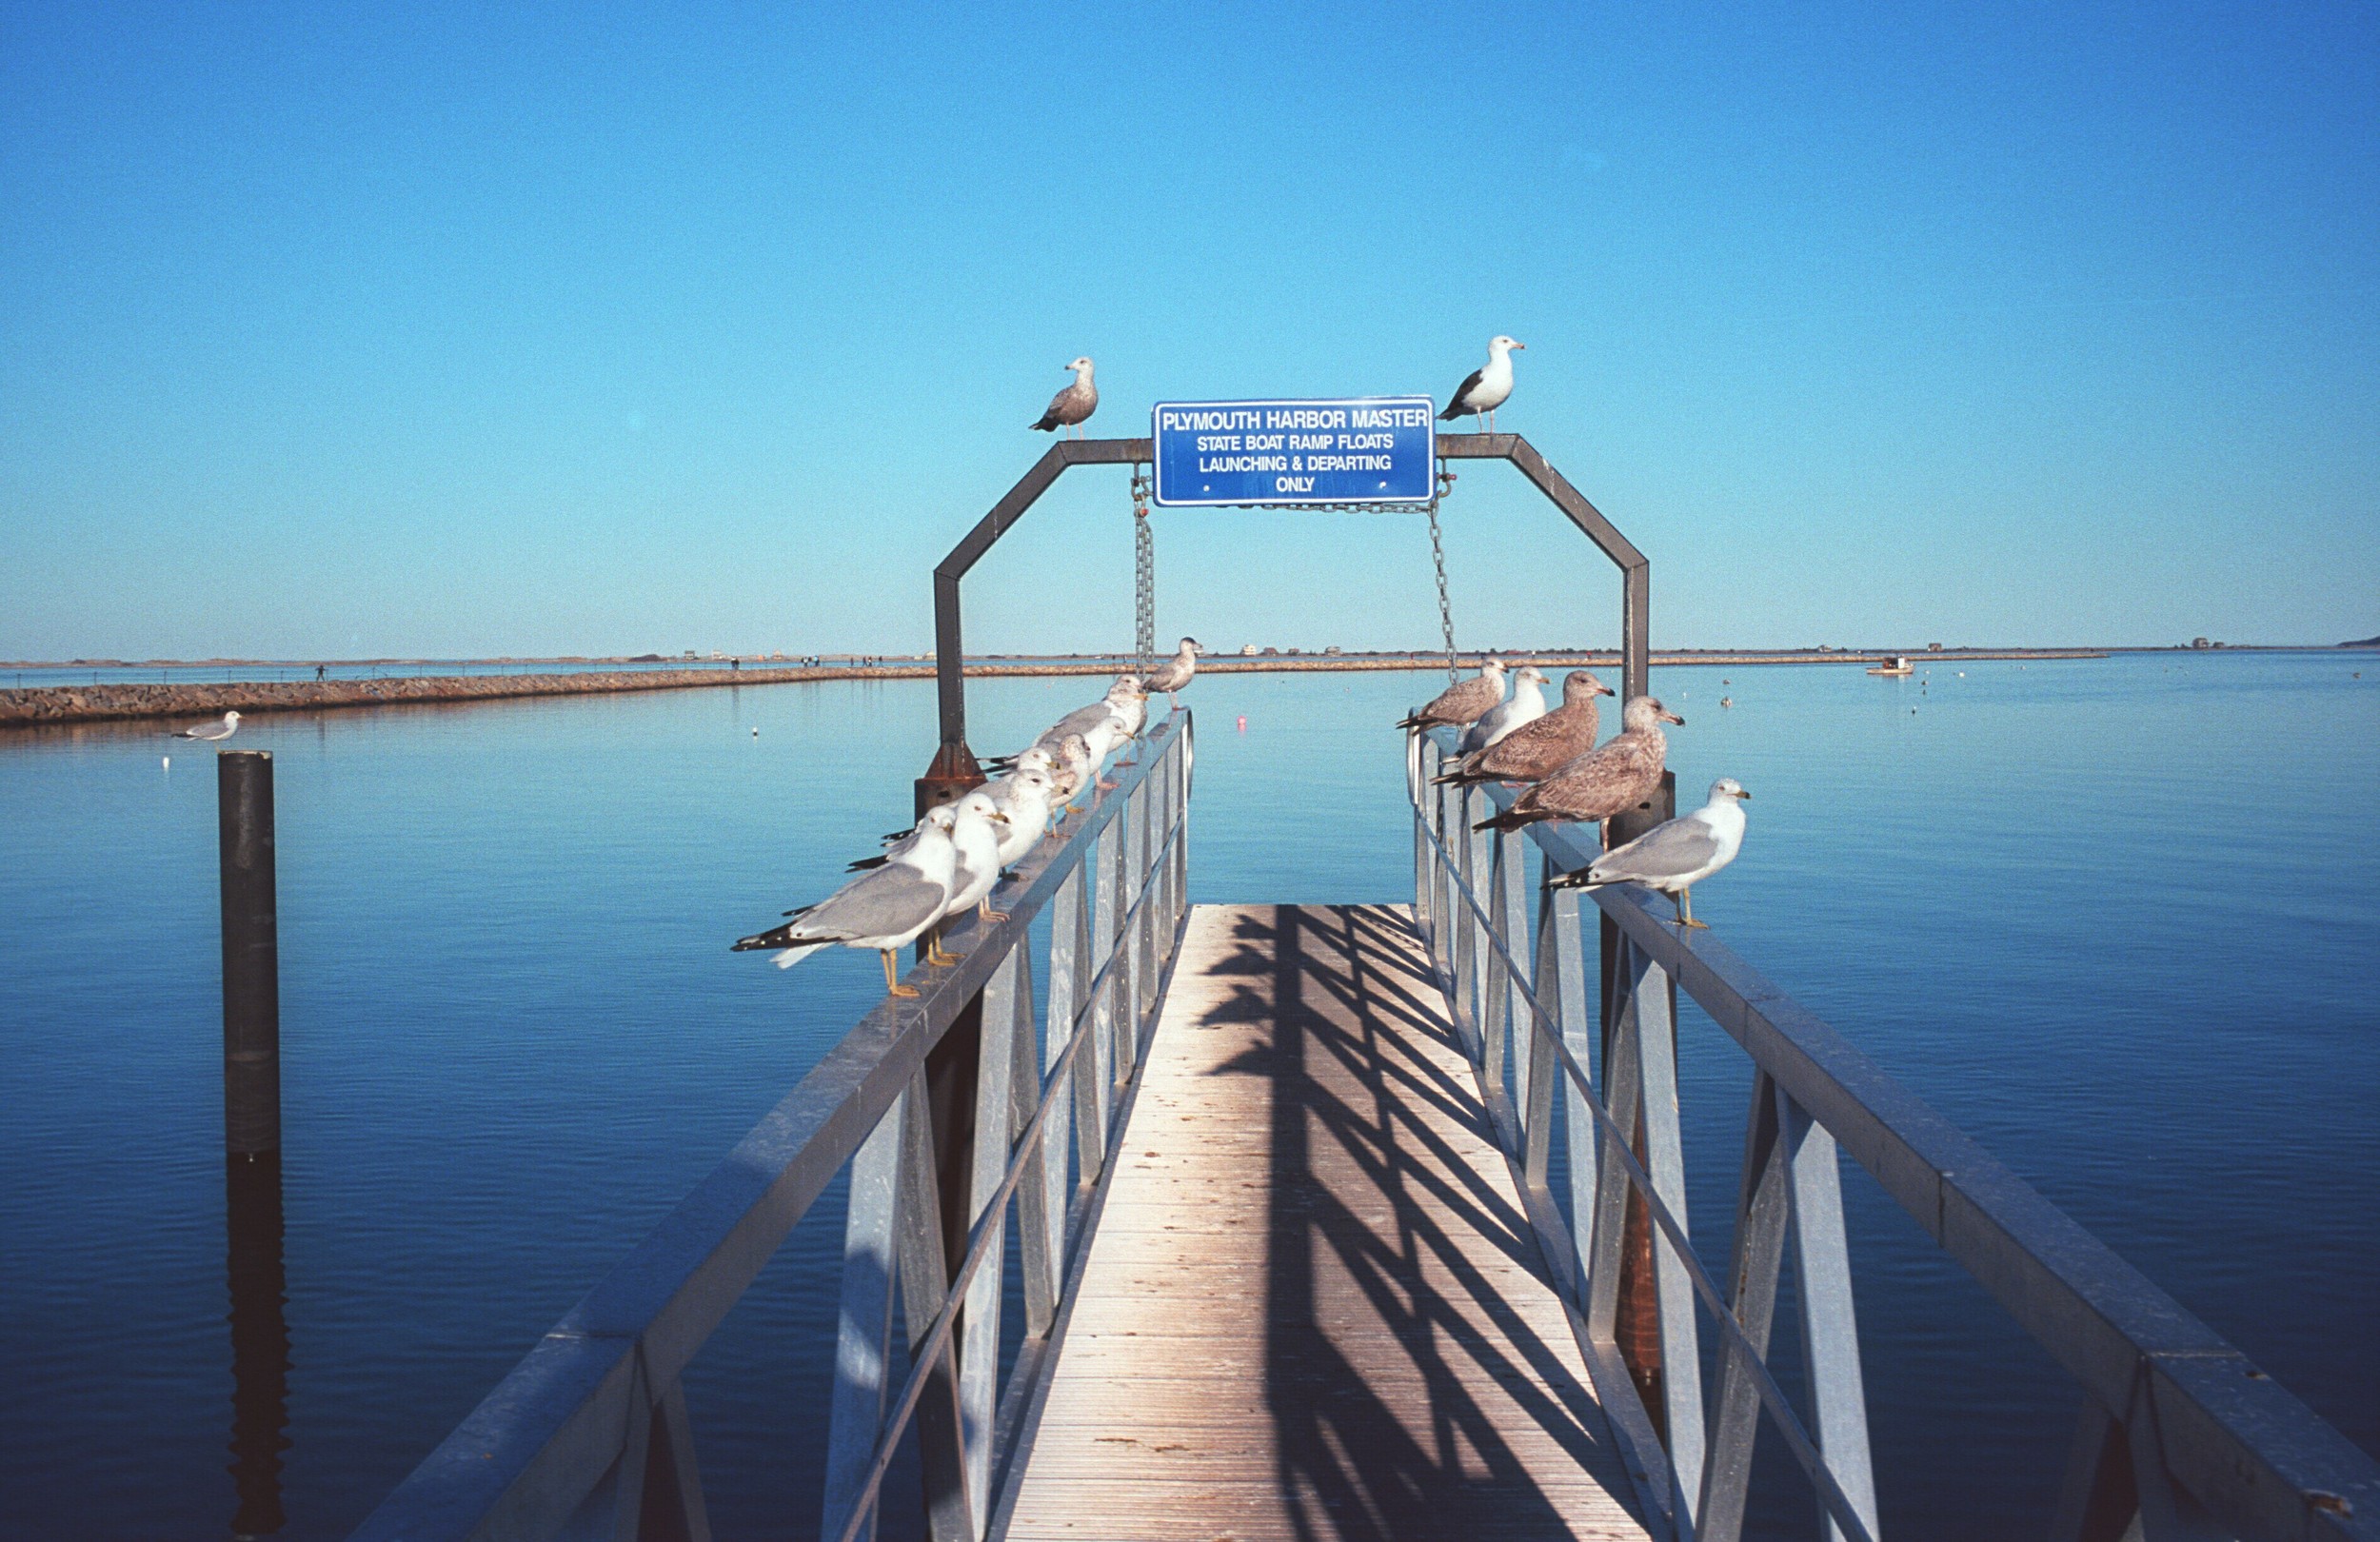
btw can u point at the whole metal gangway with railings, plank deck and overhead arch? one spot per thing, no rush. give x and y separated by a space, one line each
1344 1222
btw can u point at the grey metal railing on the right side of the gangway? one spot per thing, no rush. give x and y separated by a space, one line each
2179 1438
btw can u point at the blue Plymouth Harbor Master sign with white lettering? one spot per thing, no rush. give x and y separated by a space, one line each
1296 453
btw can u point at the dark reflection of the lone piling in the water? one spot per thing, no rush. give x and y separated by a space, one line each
261 1341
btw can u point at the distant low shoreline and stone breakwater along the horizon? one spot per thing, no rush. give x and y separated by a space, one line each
137 701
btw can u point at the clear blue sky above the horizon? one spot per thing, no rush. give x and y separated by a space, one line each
582 330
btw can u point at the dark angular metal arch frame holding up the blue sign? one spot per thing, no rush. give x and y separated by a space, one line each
956 765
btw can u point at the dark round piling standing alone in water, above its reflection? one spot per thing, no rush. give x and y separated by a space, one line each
244 786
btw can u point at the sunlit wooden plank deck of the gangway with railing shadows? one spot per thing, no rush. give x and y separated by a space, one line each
1313 1305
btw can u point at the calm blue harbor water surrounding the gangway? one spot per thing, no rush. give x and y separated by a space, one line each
2119 920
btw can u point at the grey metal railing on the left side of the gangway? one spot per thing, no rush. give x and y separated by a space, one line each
589 1434
